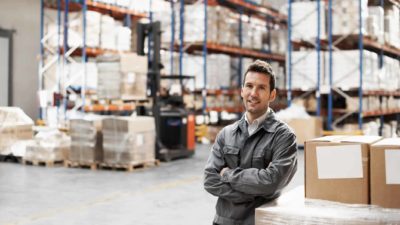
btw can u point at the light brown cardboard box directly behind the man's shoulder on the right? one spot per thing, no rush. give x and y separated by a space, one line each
306 129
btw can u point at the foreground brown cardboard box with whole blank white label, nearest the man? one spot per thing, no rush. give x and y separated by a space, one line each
337 168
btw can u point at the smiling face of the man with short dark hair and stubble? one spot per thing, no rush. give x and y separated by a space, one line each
256 94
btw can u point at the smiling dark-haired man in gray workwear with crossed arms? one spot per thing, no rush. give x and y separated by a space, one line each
253 159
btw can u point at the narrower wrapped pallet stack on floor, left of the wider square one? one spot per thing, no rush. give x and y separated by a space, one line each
86 140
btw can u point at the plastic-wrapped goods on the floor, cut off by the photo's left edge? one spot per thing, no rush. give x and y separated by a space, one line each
15 126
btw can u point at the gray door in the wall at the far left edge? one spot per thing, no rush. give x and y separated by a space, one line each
5 67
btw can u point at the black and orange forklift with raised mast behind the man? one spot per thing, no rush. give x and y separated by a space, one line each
175 124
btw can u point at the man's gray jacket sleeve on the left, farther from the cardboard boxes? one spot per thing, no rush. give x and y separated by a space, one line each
212 177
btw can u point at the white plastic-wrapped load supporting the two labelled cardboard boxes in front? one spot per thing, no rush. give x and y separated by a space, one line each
292 208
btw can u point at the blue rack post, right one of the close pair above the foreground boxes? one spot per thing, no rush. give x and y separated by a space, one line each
330 100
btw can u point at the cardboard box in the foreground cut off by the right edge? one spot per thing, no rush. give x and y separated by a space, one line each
385 173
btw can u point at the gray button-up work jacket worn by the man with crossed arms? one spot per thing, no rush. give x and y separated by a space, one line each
260 166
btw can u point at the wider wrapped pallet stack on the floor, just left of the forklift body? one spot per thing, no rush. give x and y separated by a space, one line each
128 140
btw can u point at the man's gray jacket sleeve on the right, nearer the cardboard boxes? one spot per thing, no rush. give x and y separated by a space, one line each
268 181
